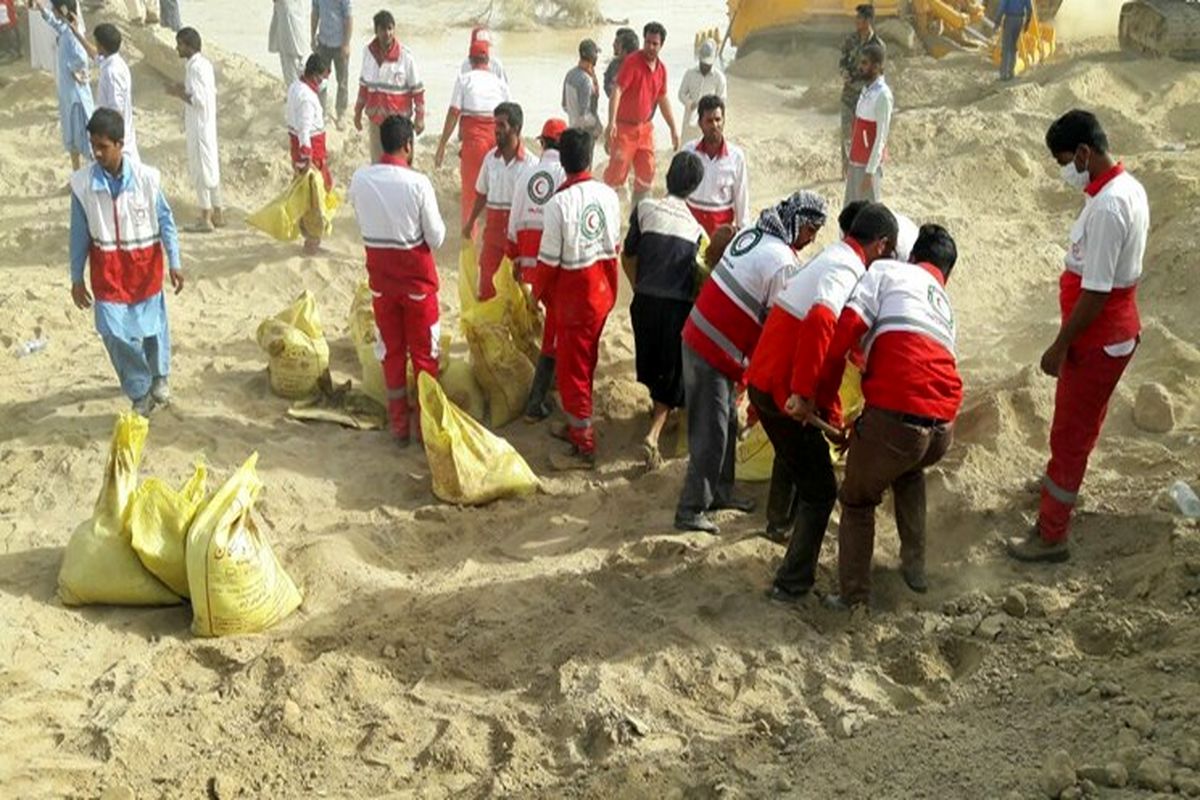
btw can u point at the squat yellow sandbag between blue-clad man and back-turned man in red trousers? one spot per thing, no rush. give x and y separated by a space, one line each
296 347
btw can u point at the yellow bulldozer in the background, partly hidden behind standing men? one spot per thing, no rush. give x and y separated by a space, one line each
939 27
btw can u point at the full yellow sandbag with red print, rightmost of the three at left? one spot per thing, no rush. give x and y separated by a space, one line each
237 584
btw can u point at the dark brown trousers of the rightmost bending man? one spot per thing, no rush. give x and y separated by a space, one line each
885 452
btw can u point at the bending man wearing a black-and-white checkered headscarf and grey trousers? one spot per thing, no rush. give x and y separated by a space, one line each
718 341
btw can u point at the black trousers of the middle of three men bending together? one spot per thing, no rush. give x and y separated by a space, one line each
806 456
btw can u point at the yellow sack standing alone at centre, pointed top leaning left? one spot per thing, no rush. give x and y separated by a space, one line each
470 465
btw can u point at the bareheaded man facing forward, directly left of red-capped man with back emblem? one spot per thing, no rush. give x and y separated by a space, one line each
495 189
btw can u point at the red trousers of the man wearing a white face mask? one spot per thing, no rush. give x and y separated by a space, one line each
1087 382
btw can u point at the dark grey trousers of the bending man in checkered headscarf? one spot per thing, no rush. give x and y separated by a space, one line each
712 436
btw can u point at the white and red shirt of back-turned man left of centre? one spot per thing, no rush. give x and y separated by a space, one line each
400 222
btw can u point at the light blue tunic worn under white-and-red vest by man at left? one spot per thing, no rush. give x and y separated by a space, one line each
140 320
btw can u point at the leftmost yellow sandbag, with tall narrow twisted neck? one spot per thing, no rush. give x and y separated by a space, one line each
100 566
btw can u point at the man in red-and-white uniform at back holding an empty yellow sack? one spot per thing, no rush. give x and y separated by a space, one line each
307 139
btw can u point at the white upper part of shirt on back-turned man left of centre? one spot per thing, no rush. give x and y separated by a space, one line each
397 208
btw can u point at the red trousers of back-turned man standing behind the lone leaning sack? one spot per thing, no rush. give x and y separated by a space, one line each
409 329
